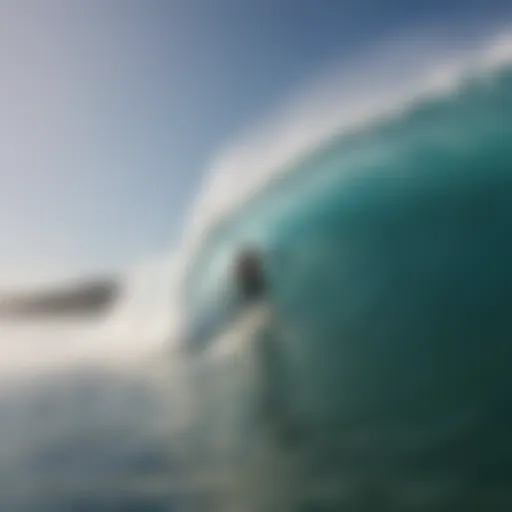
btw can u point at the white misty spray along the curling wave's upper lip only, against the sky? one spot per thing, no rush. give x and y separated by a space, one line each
345 102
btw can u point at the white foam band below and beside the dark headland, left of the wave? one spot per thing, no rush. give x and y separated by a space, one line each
134 328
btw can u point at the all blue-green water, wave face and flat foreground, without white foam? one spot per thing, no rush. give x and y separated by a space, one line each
373 376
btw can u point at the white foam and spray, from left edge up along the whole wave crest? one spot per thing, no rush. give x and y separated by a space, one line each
382 84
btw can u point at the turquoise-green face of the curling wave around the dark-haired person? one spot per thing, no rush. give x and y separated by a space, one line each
388 253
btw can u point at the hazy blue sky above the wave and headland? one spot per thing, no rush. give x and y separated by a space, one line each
112 110
